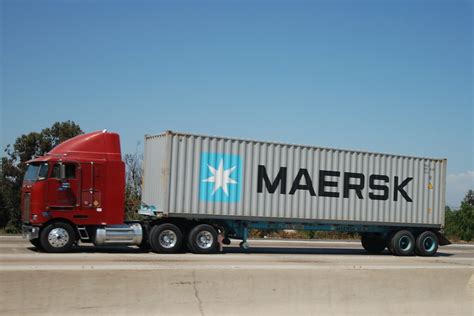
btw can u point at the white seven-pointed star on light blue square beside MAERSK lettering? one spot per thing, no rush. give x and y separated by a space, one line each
221 177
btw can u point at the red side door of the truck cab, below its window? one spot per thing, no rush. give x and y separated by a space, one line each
63 193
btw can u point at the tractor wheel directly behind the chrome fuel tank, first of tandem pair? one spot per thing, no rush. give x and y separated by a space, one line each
165 238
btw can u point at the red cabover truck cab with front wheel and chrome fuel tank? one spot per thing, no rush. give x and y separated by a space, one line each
76 192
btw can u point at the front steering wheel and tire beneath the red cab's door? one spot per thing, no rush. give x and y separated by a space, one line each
57 237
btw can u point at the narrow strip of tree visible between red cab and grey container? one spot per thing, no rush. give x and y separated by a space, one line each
133 186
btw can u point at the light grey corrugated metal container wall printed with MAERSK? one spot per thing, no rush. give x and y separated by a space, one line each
178 180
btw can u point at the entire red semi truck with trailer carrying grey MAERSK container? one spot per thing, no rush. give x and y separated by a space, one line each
199 187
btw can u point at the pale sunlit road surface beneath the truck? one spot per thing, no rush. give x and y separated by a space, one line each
272 278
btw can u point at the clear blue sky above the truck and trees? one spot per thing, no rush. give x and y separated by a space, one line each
384 76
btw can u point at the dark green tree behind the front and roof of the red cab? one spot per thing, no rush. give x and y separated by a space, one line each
13 166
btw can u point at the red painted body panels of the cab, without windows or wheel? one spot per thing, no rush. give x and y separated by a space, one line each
92 191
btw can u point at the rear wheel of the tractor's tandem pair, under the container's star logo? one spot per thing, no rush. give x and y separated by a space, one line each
203 239
